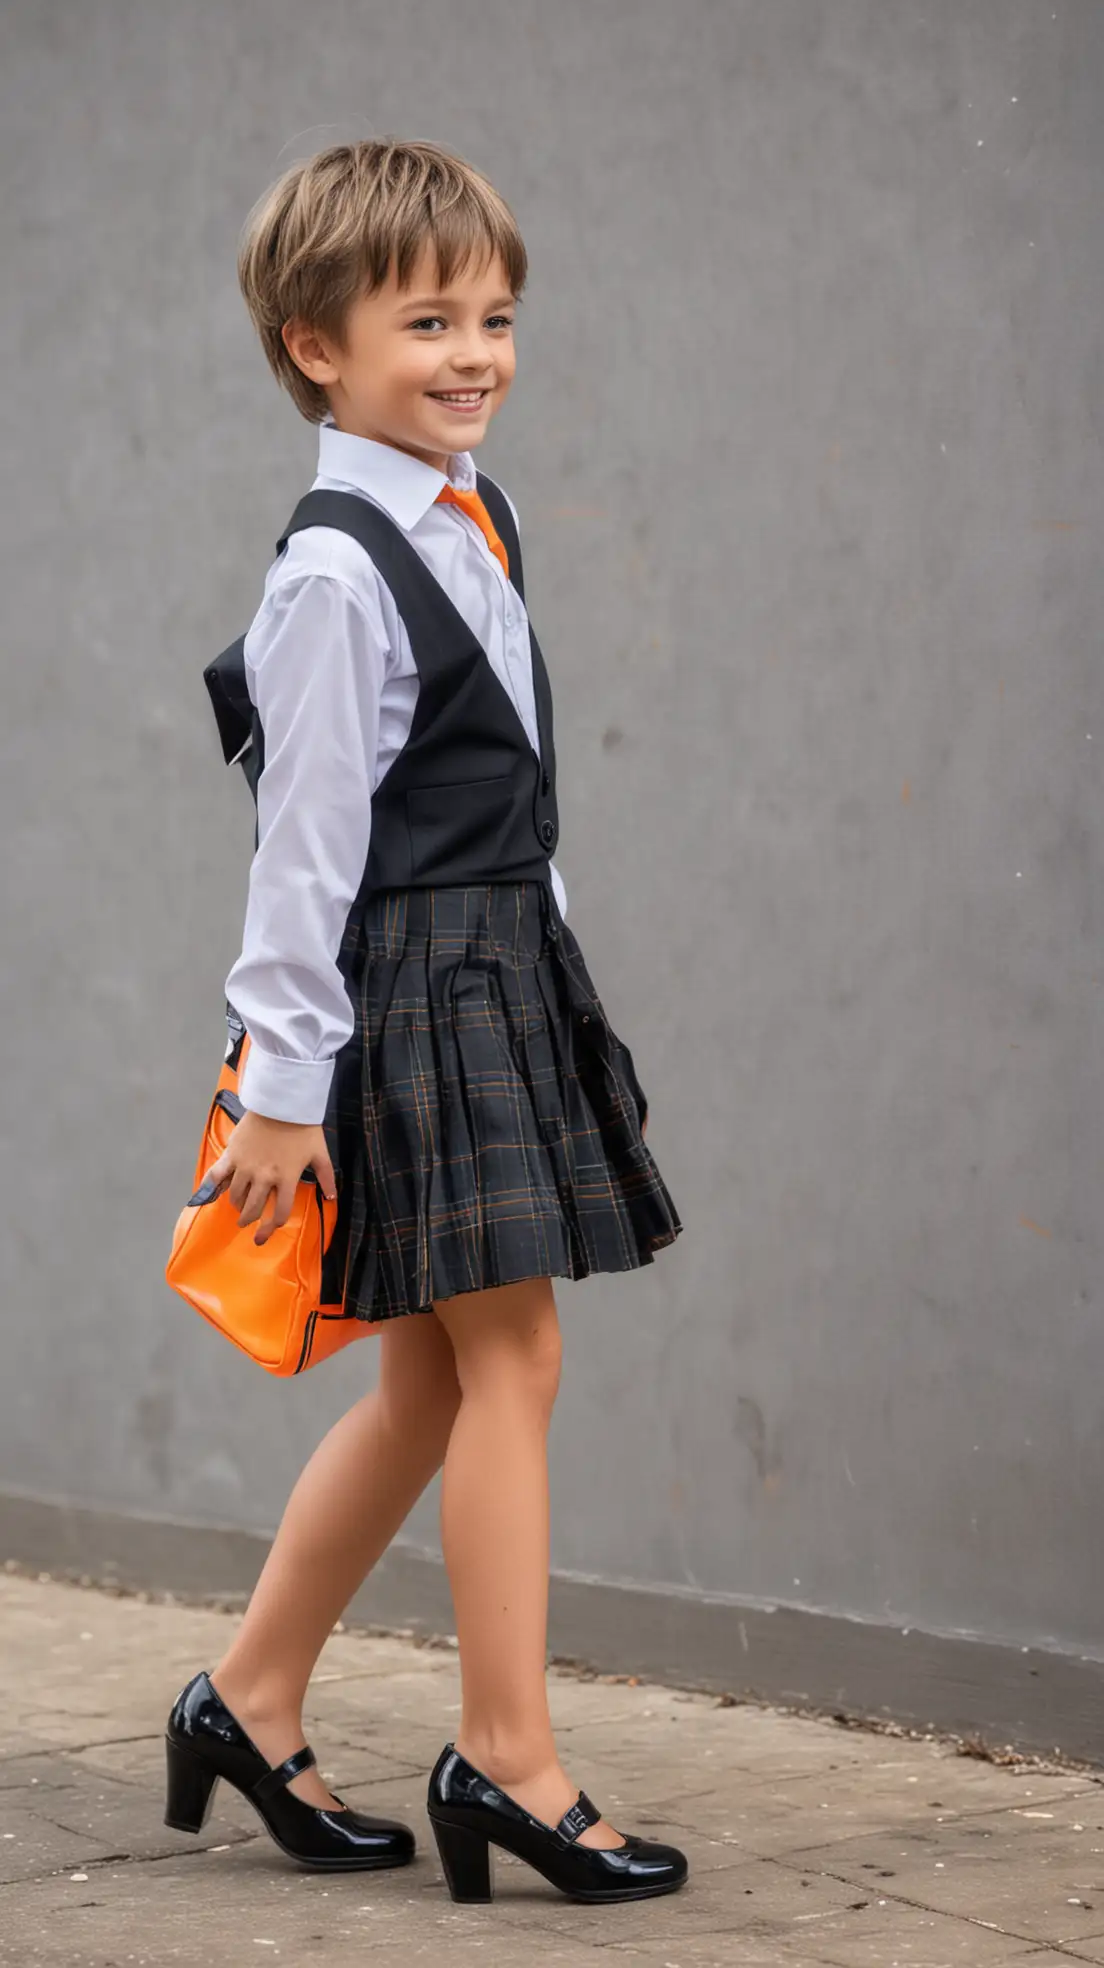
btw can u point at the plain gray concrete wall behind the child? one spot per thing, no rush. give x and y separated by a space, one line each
808 446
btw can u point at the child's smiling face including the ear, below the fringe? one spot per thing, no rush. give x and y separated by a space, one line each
410 351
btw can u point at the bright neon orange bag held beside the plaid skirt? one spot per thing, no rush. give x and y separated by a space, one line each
265 1298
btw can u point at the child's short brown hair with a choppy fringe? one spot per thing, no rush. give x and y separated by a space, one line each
330 229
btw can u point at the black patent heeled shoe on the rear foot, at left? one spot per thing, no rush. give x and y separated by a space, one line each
206 1743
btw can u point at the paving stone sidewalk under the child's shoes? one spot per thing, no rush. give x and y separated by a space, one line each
810 1843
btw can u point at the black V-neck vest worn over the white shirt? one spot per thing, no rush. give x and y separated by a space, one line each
467 800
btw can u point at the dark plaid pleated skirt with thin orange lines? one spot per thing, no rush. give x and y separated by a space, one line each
489 1119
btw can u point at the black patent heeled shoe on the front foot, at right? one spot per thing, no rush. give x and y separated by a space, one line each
471 1815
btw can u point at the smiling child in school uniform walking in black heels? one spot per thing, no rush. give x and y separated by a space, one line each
489 1121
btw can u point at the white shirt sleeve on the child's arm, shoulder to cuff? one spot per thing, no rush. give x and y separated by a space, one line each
316 664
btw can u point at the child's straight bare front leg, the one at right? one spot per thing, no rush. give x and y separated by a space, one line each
495 1530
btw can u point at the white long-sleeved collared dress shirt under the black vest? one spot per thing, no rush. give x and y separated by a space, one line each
336 684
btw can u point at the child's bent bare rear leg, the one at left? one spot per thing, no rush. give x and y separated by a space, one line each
341 1516
